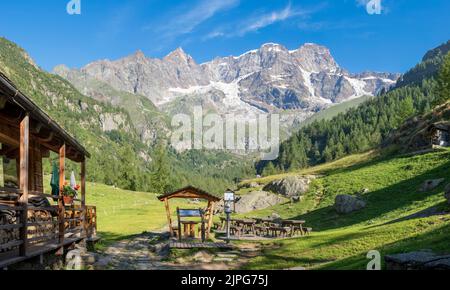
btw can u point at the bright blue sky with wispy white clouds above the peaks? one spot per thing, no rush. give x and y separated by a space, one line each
393 41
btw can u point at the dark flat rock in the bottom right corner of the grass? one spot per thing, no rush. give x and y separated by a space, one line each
421 260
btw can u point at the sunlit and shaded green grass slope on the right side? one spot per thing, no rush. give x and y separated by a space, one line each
342 241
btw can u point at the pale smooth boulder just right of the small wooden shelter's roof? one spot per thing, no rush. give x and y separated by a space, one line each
257 200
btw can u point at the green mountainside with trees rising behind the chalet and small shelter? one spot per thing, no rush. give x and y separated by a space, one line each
116 133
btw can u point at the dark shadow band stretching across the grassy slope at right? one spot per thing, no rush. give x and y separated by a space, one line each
380 202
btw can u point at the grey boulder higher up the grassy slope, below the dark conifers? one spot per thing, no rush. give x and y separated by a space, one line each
290 186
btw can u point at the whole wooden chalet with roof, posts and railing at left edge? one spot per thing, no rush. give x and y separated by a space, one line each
29 224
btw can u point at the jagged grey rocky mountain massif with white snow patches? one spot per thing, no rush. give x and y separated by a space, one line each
269 79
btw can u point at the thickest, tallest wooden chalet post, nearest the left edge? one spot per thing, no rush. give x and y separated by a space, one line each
24 184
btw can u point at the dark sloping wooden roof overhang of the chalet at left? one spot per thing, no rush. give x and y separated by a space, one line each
14 106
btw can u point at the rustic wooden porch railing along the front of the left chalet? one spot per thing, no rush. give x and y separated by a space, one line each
46 228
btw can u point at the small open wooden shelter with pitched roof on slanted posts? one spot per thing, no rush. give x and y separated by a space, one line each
191 192
